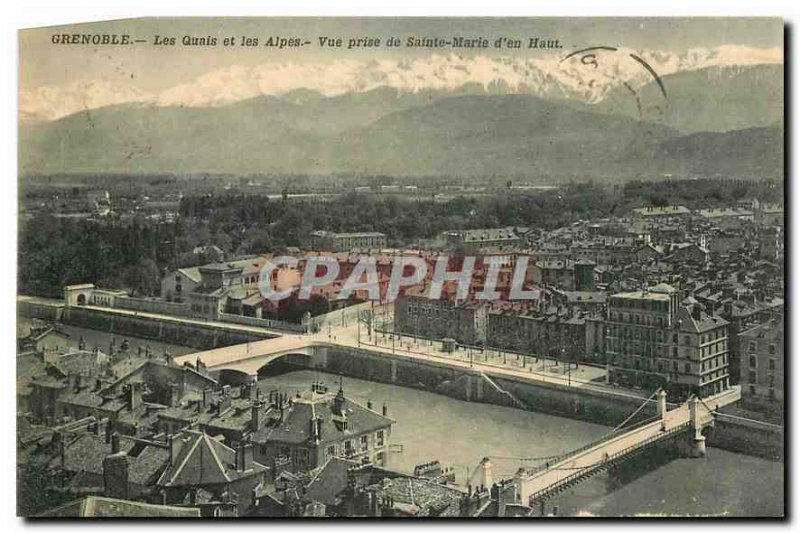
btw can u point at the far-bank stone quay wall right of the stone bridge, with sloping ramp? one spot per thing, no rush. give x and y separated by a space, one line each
597 406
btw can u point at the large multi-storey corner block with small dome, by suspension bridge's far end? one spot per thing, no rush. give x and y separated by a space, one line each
653 339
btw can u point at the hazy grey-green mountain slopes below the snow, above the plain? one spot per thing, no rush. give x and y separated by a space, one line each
717 120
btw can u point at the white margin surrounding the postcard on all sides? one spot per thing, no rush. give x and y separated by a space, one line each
33 13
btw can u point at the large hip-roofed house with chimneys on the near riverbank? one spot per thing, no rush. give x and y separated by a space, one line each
302 433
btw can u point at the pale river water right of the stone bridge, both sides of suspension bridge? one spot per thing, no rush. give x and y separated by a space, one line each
460 434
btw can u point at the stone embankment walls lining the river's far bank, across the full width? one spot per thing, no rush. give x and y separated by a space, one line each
587 402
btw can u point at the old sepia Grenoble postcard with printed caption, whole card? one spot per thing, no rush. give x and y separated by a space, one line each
401 267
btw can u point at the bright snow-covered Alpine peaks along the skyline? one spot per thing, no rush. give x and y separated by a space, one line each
551 76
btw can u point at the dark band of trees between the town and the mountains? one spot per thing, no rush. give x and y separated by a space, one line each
135 252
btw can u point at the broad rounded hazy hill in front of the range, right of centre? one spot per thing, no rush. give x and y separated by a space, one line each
498 135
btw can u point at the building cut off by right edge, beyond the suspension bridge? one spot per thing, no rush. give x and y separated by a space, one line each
761 365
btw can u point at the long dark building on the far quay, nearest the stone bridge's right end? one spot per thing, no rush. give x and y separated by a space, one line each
423 317
